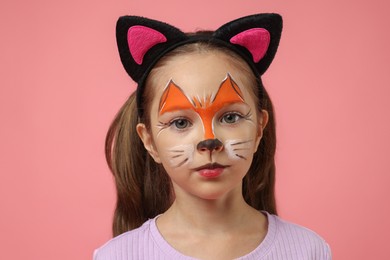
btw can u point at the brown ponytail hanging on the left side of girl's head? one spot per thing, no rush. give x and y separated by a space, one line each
143 188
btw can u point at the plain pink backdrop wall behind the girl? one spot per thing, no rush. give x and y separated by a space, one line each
62 82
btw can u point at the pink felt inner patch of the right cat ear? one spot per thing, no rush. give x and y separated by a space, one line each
255 40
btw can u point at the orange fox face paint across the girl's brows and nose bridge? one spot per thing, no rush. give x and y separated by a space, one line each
174 99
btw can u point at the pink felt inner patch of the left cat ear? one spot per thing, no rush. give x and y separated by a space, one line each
141 39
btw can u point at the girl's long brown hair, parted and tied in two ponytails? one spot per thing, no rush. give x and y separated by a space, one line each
144 189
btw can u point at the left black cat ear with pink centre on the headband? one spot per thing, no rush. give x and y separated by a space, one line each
140 41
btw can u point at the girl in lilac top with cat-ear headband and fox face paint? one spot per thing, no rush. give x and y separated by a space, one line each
192 151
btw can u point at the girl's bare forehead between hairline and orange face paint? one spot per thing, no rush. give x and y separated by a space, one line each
199 74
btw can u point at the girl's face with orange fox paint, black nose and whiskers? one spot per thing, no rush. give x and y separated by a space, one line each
205 126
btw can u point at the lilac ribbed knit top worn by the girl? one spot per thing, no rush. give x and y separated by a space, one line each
283 241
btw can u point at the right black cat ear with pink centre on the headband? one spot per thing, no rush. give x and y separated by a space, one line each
256 36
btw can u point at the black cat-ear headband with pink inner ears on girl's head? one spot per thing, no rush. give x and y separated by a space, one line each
142 42
